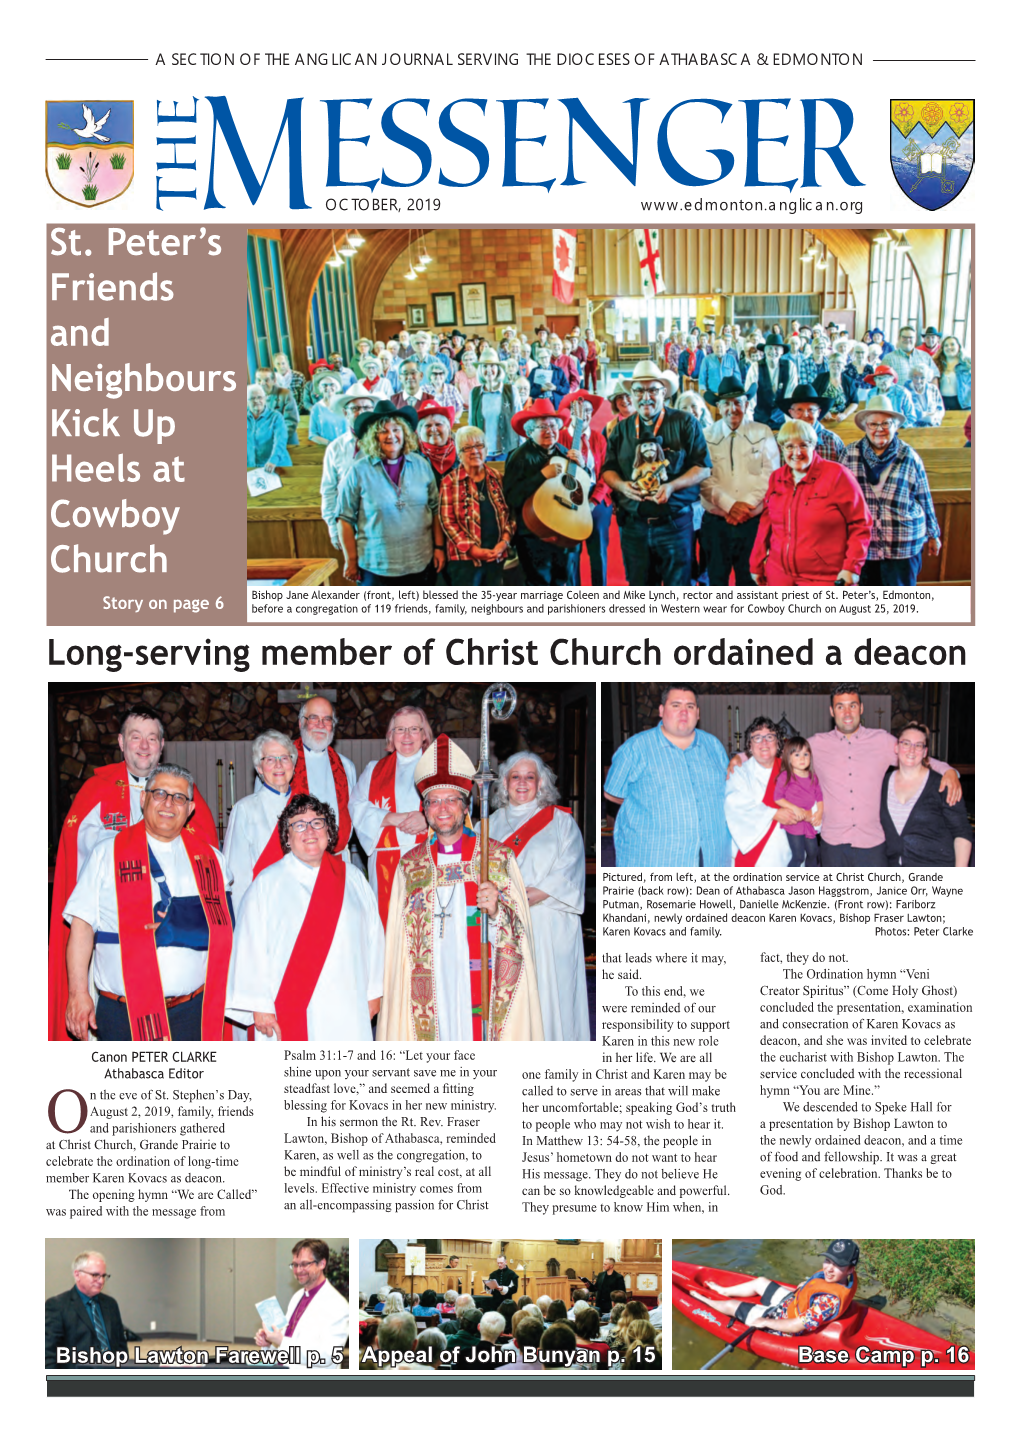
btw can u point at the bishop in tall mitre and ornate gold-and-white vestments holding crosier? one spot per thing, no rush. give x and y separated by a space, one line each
432 984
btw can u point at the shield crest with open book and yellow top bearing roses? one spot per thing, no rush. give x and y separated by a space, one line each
932 150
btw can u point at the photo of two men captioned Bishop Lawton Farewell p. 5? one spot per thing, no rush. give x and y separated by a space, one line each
224 1303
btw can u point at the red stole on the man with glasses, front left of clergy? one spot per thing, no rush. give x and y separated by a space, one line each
143 987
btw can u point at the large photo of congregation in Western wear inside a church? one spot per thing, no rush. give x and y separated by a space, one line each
710 407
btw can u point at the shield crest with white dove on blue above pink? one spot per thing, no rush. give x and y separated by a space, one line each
91 149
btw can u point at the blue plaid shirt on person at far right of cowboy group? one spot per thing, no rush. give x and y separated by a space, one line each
902 505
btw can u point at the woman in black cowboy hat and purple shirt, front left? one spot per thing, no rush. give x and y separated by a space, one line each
390 504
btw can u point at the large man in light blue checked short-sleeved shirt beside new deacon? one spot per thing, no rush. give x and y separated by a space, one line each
670 784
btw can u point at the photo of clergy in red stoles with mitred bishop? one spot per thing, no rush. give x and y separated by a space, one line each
406 863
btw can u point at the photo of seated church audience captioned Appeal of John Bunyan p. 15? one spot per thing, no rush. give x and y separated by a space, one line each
501 1306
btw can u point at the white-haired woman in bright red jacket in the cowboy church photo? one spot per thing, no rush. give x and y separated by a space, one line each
816 526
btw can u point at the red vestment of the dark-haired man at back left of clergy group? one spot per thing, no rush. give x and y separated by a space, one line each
110 790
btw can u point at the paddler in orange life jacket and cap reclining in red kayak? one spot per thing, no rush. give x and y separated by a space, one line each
805 1310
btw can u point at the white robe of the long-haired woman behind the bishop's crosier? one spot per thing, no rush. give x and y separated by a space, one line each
554 862
